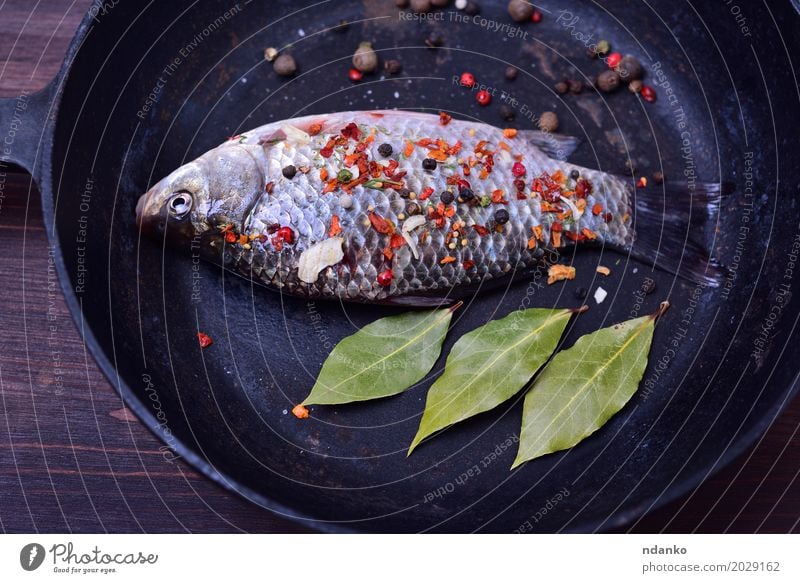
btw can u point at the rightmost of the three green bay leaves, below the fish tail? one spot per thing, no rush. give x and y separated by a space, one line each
584 386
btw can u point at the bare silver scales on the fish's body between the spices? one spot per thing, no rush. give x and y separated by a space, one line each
300 204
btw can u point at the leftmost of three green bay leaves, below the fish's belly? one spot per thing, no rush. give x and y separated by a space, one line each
384 358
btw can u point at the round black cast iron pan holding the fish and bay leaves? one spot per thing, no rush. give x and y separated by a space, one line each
148 86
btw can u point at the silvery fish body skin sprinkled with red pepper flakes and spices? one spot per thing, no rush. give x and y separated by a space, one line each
481 250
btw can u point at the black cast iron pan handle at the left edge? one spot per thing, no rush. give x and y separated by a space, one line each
23 123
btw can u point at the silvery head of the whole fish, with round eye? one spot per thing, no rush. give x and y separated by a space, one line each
205 196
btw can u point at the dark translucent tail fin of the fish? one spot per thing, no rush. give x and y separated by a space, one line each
674 227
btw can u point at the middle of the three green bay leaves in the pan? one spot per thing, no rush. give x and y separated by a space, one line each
489 365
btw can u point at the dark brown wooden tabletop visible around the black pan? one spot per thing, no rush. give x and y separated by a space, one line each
73 458
